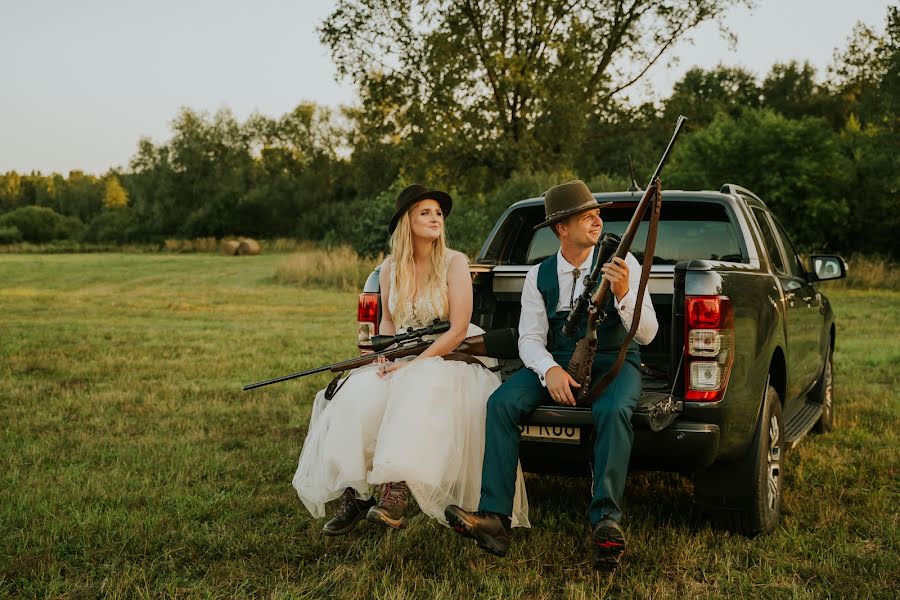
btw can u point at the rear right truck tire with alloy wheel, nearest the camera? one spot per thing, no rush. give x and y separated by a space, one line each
745 497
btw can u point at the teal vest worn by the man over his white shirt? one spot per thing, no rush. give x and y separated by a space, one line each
610 334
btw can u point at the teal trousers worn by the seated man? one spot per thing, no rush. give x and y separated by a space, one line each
520 395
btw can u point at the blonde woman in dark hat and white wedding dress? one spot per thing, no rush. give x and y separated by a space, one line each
412 426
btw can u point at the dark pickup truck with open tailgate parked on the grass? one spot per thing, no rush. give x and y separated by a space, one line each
745 345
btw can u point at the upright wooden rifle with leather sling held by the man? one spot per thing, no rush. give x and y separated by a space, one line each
591 301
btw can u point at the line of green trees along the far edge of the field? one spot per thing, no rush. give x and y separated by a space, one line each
495 102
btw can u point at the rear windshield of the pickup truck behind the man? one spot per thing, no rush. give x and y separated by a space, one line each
687 230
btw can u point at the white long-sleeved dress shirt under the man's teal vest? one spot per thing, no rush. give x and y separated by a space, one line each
534 323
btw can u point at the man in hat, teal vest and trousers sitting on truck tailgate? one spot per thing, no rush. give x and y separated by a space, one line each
573 214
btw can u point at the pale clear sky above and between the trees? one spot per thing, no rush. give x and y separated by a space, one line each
82 80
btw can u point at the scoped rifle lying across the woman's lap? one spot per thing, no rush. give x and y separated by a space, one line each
498 344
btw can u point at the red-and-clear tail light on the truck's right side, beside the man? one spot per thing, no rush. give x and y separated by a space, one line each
709 347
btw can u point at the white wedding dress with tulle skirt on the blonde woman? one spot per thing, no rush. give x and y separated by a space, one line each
423 424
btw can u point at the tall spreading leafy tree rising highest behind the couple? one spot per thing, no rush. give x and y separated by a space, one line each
480 89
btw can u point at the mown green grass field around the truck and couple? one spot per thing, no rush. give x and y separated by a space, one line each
131 464
